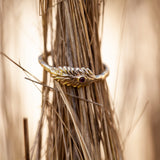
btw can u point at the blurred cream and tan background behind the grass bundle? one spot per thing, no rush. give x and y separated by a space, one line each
130 47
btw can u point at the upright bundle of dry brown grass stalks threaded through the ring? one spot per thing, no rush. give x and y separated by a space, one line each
78 128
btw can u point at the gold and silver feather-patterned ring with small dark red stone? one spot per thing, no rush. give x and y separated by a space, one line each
75 77
